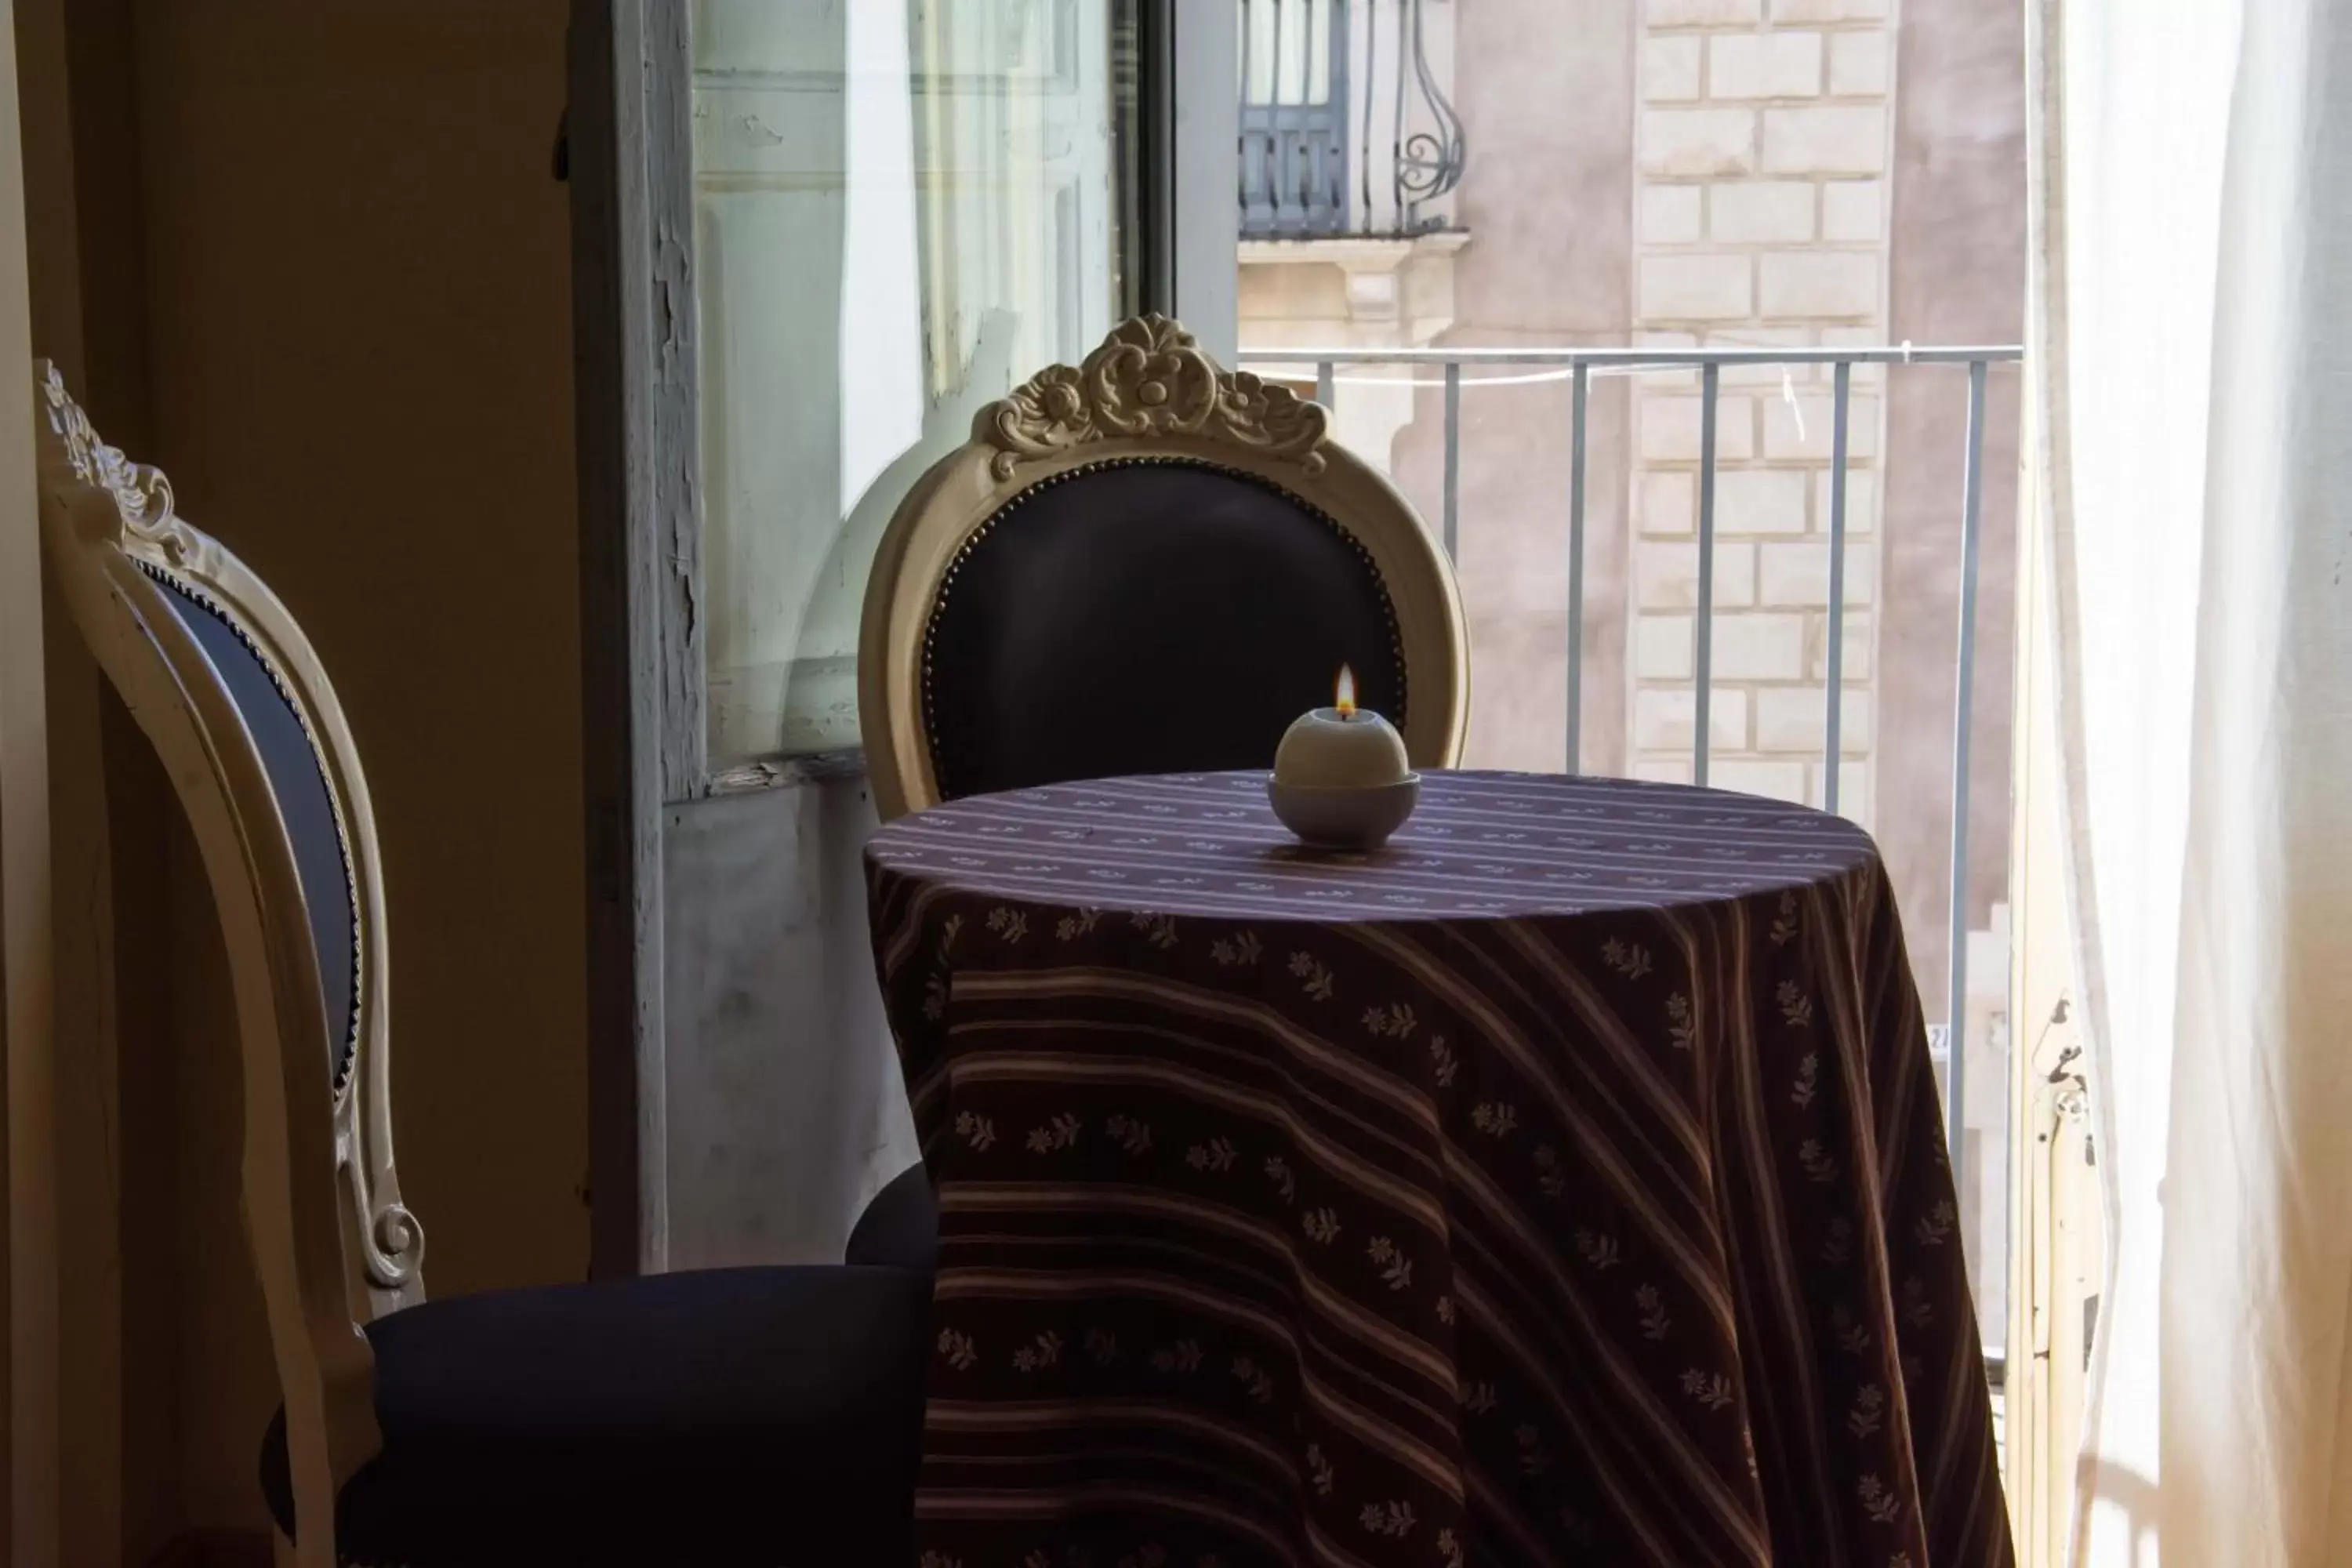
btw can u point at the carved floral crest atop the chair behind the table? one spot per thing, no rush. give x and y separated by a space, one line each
1149 380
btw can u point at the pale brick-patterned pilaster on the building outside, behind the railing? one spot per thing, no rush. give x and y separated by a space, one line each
1760 220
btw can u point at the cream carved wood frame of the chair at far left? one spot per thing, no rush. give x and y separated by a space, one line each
323 1214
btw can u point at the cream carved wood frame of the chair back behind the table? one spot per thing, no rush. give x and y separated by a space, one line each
1149 391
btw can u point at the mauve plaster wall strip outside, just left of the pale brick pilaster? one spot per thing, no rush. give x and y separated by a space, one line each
1546 199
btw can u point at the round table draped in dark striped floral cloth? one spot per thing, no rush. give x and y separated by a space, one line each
1563 1184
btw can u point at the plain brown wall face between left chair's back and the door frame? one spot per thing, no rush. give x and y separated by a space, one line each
361 344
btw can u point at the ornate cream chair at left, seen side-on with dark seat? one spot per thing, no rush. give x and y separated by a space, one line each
735 1416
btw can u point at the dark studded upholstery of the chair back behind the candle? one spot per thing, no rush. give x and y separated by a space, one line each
1147 617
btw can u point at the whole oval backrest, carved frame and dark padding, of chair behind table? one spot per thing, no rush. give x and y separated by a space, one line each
1147 563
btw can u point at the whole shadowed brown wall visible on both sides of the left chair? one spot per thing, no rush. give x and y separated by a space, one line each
326 283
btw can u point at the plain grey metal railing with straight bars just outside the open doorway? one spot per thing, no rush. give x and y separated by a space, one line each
1579 368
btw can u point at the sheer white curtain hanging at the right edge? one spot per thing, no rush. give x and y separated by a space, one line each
2193 330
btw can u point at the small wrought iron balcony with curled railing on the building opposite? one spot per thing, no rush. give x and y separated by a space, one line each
1347 128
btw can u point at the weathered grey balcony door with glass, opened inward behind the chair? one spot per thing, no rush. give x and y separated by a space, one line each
808 243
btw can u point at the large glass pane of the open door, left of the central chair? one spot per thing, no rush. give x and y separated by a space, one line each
902 213
